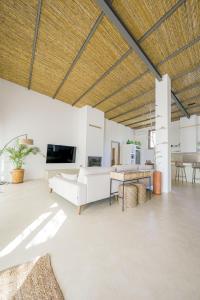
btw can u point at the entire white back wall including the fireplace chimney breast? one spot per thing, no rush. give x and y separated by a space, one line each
47 121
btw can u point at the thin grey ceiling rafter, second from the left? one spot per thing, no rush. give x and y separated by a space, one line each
80 52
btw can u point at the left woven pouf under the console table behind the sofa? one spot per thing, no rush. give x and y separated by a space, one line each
130 195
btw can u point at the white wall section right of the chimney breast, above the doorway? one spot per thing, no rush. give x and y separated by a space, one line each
114 132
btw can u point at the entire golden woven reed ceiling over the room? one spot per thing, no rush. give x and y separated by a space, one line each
77 55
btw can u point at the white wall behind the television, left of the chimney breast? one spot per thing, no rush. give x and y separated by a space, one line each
47 121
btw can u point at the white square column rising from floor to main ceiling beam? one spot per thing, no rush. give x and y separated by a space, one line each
162 126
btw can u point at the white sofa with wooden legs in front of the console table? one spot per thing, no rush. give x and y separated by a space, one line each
90 185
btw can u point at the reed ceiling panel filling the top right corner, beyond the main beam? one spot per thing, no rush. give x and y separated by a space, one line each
176 31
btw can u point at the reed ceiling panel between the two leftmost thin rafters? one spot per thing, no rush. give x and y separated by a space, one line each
64 26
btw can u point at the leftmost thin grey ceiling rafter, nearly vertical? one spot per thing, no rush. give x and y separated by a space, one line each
37 24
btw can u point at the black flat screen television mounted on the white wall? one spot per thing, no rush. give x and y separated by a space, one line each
60 154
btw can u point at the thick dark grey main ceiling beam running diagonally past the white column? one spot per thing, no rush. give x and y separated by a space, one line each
136 47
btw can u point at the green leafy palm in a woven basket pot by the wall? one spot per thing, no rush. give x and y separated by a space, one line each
17 155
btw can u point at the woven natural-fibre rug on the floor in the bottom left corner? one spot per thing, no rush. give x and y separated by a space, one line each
34 280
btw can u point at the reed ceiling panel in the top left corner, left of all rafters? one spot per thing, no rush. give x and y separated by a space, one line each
16 38
